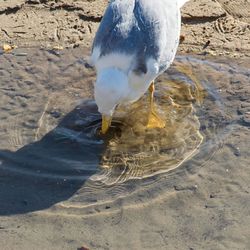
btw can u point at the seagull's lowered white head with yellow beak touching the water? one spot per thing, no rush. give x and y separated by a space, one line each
111 89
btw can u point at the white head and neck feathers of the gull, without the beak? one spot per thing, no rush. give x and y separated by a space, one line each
117 84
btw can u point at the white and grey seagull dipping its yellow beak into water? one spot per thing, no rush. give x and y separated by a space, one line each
136 42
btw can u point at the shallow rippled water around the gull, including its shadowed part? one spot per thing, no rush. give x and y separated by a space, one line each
51 151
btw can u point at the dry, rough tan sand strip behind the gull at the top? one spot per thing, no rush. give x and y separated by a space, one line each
223 27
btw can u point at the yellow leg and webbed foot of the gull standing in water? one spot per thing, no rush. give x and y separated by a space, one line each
154 121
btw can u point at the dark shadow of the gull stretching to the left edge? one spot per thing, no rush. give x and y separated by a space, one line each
52 169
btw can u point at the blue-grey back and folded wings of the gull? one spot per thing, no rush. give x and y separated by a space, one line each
136 36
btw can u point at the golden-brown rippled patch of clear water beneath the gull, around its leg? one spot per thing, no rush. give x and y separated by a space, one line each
137 152
